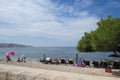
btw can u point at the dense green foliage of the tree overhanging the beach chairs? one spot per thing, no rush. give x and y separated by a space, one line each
105 38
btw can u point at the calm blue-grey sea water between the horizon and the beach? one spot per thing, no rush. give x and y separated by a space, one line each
34 53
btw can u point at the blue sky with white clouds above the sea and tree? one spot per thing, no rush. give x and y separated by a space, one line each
52 23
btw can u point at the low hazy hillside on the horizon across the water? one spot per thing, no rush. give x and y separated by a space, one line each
5 45
